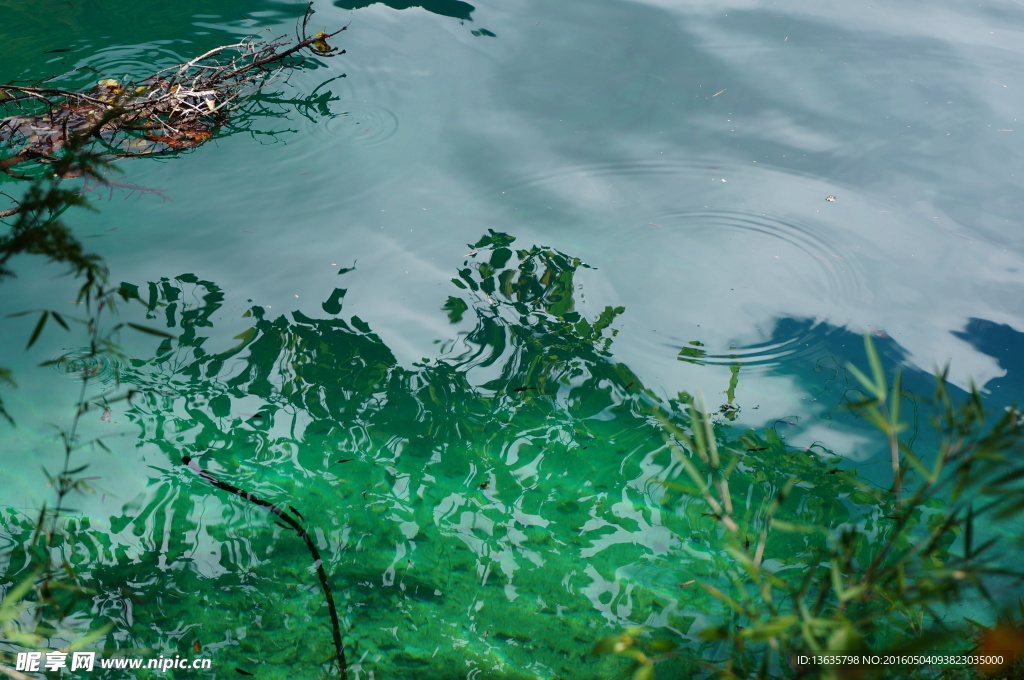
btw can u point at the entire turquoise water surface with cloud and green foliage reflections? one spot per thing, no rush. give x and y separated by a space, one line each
479 271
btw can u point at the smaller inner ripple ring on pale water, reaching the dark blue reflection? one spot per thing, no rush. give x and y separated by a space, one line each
742 264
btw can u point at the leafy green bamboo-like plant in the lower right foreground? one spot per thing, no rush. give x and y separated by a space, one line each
883 584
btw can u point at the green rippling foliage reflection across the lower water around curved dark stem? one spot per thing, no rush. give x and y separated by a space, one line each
505 503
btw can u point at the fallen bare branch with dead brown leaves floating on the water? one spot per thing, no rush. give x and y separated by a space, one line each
174 109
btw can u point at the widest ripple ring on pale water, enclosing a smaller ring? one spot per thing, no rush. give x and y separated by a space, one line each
748 260
